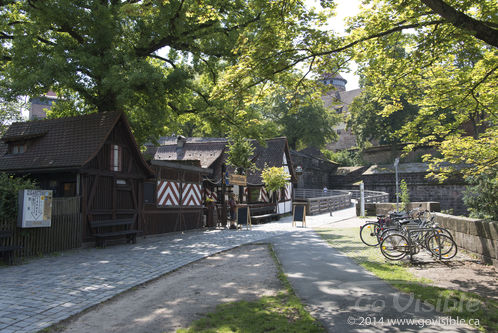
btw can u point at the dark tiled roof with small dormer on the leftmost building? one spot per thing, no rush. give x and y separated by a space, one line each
57 143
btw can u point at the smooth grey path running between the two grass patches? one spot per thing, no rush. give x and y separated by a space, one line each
347 298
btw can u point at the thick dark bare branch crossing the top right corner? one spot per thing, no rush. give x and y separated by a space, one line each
476 28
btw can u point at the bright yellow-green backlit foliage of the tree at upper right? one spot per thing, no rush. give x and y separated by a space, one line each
441 57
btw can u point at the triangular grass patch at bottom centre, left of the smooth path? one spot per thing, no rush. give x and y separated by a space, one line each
281 313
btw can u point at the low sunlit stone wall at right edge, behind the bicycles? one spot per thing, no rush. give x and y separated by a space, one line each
477 236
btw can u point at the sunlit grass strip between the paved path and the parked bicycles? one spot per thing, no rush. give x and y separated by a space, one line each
455 303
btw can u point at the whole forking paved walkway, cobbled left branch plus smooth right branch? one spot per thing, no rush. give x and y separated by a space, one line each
45 291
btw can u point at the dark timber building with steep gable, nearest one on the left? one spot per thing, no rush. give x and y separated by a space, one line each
92 156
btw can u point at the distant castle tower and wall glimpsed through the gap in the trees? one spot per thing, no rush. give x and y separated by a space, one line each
339 99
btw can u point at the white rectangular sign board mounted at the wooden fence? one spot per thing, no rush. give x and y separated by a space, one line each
35 208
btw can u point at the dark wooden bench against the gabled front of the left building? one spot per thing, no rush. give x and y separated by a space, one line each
111 229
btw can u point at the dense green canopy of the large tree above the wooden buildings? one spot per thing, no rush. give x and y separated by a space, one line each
154 59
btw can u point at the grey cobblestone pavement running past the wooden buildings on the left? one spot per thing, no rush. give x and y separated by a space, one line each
47 290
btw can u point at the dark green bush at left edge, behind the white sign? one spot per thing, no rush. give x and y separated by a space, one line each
9 189
